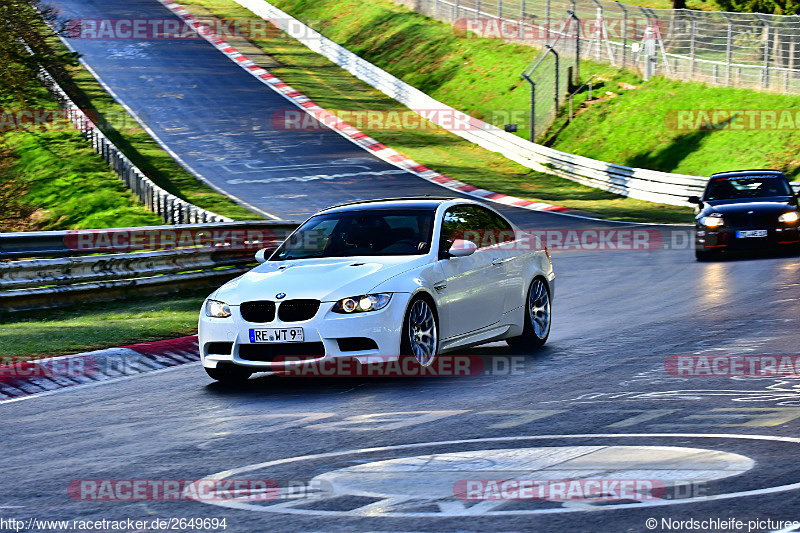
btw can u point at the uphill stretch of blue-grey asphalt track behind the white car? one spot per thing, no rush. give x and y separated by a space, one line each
216 118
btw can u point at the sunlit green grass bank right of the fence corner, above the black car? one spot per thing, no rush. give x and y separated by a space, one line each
637 127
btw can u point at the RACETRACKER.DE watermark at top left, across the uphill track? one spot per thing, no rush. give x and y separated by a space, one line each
176 29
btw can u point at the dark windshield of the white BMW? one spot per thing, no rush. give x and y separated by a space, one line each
379 232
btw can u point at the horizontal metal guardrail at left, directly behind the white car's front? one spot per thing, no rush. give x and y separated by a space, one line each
54 268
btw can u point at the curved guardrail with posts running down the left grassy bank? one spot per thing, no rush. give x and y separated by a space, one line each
172 209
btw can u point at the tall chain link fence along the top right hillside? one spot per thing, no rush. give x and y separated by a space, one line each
743 50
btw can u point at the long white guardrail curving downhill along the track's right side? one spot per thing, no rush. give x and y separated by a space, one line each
643 184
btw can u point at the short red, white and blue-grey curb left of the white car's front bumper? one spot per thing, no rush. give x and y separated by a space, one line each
43 376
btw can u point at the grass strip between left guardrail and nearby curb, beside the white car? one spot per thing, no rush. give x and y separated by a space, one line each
99 325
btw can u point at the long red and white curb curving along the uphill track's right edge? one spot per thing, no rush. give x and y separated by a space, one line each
346 130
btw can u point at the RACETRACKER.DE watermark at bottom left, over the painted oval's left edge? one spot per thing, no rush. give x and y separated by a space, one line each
208 490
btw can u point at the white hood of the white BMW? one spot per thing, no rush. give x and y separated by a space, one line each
327 279
